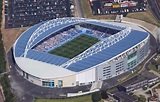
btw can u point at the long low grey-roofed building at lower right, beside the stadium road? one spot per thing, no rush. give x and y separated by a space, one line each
138 82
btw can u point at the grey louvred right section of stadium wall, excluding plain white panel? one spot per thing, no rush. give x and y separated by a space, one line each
108 70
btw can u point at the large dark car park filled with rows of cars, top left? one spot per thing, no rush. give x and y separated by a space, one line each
22 13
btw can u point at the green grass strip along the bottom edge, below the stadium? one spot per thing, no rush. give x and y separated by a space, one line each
86 98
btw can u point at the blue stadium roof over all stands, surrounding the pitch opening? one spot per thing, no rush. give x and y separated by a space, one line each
44 29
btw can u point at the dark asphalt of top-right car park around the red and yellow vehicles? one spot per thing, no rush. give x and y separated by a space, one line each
99 4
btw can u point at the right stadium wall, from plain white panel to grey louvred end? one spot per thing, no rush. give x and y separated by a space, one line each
112 67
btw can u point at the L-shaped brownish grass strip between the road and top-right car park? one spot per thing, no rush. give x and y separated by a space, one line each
87 12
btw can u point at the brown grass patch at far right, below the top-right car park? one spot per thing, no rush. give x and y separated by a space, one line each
145 16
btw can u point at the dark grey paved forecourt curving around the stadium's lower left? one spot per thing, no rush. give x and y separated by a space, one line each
26 91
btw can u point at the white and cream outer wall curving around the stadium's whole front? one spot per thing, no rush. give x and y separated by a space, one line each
103 71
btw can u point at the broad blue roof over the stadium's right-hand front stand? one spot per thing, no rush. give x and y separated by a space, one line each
126 43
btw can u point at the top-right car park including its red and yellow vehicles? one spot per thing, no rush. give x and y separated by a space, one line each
116 6
